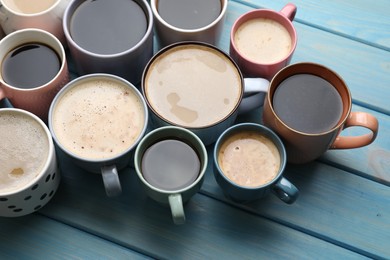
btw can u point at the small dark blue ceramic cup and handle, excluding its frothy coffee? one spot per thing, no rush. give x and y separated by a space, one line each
279 186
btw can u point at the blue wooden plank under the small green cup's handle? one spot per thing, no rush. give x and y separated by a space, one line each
213 229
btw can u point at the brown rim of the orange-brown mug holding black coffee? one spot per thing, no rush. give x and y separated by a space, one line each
322 67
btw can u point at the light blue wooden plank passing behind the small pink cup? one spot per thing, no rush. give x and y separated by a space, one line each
365 69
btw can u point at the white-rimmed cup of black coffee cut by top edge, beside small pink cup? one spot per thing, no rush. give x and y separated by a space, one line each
188 20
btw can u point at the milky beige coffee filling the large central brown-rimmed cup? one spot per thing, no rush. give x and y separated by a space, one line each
193 86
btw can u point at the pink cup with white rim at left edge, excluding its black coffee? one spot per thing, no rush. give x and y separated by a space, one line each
35 100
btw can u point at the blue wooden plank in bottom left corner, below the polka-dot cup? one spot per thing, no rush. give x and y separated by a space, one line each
38 237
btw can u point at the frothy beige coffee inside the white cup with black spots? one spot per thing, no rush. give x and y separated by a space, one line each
24 151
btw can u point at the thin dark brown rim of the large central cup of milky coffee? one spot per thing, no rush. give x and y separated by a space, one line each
187 43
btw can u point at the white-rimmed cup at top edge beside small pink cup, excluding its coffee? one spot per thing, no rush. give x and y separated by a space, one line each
168 34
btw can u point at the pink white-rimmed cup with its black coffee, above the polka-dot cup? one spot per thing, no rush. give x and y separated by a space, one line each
35 73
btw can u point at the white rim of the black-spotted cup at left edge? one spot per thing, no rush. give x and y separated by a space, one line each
50 155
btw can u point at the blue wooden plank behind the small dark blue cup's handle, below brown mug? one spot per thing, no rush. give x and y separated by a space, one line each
334 205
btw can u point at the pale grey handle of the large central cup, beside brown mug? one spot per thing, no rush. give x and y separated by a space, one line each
255 90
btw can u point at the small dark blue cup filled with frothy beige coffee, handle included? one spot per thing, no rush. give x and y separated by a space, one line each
249 161
